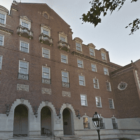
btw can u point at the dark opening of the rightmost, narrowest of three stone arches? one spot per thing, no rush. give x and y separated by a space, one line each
67 122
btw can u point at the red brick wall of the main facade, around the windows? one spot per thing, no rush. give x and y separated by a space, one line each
12 55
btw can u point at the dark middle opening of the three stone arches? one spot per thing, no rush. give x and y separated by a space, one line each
46 121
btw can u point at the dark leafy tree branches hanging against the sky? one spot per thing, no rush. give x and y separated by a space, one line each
99 7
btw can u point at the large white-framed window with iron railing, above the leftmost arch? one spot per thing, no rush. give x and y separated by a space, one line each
23 67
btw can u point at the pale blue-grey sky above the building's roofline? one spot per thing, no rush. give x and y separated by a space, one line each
111 34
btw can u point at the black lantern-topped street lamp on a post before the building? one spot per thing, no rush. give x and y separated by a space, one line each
97 121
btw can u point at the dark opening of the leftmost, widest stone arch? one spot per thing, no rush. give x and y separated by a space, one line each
21 121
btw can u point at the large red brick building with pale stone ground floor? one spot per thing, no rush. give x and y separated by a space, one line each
48 79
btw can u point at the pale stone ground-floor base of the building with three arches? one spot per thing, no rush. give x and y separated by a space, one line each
32 123
